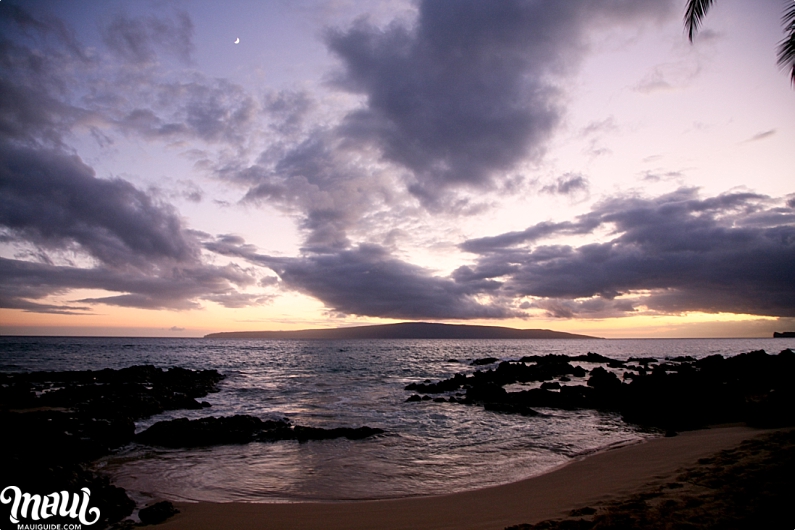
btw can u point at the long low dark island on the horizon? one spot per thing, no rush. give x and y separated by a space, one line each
404 330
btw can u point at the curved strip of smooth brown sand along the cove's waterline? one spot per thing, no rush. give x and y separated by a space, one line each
595 479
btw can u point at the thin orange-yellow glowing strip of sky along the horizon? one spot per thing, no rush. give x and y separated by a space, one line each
295 312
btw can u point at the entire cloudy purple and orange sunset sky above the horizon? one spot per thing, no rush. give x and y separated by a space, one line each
176 168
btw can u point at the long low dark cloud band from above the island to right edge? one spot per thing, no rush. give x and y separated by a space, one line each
666 255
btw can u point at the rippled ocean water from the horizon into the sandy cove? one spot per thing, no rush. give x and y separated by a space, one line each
428 448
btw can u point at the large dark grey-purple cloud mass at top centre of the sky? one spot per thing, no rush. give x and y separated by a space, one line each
454 101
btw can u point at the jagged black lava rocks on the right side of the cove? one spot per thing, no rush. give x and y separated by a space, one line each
676 394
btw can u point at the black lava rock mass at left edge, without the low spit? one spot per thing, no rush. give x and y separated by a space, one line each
56 423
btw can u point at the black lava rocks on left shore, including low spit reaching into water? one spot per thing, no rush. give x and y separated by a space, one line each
57 423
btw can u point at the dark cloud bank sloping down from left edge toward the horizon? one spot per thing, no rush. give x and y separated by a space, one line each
138 246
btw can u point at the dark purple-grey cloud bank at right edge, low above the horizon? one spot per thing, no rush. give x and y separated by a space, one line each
730 253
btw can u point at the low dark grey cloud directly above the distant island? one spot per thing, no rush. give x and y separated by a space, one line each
368 281
